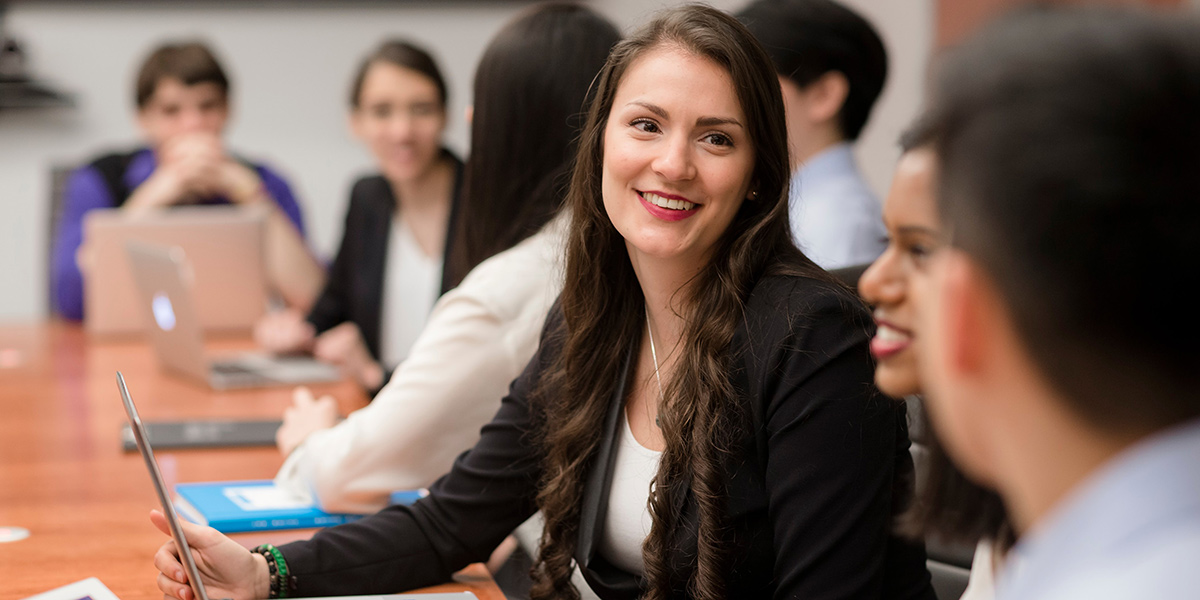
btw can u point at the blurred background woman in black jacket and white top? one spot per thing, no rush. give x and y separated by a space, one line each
388 272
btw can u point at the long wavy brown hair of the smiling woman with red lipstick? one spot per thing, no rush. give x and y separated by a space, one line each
604 314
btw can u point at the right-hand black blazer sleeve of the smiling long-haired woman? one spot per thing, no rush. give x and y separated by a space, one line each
831 445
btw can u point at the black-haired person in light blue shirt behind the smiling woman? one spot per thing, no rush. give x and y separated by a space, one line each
832 67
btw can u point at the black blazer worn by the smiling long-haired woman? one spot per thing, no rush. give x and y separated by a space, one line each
813 490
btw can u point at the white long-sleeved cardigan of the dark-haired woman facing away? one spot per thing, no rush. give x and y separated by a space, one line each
479 338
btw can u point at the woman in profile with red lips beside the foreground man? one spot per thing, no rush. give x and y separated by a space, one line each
949 506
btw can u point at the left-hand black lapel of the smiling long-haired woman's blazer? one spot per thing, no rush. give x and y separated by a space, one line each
596 495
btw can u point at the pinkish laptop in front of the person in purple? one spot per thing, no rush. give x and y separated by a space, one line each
226 247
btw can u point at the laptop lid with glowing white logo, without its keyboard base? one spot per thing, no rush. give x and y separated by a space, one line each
167 307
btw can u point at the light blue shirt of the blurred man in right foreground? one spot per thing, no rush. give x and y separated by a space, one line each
1131 532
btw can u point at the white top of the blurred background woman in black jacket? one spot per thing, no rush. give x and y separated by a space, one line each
411 287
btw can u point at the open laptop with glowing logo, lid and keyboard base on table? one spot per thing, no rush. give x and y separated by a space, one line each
167 301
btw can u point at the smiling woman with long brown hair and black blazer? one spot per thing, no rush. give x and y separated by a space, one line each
700 419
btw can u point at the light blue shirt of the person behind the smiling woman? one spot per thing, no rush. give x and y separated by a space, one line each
836 218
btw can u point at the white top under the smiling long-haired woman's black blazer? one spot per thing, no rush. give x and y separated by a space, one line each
628 523
